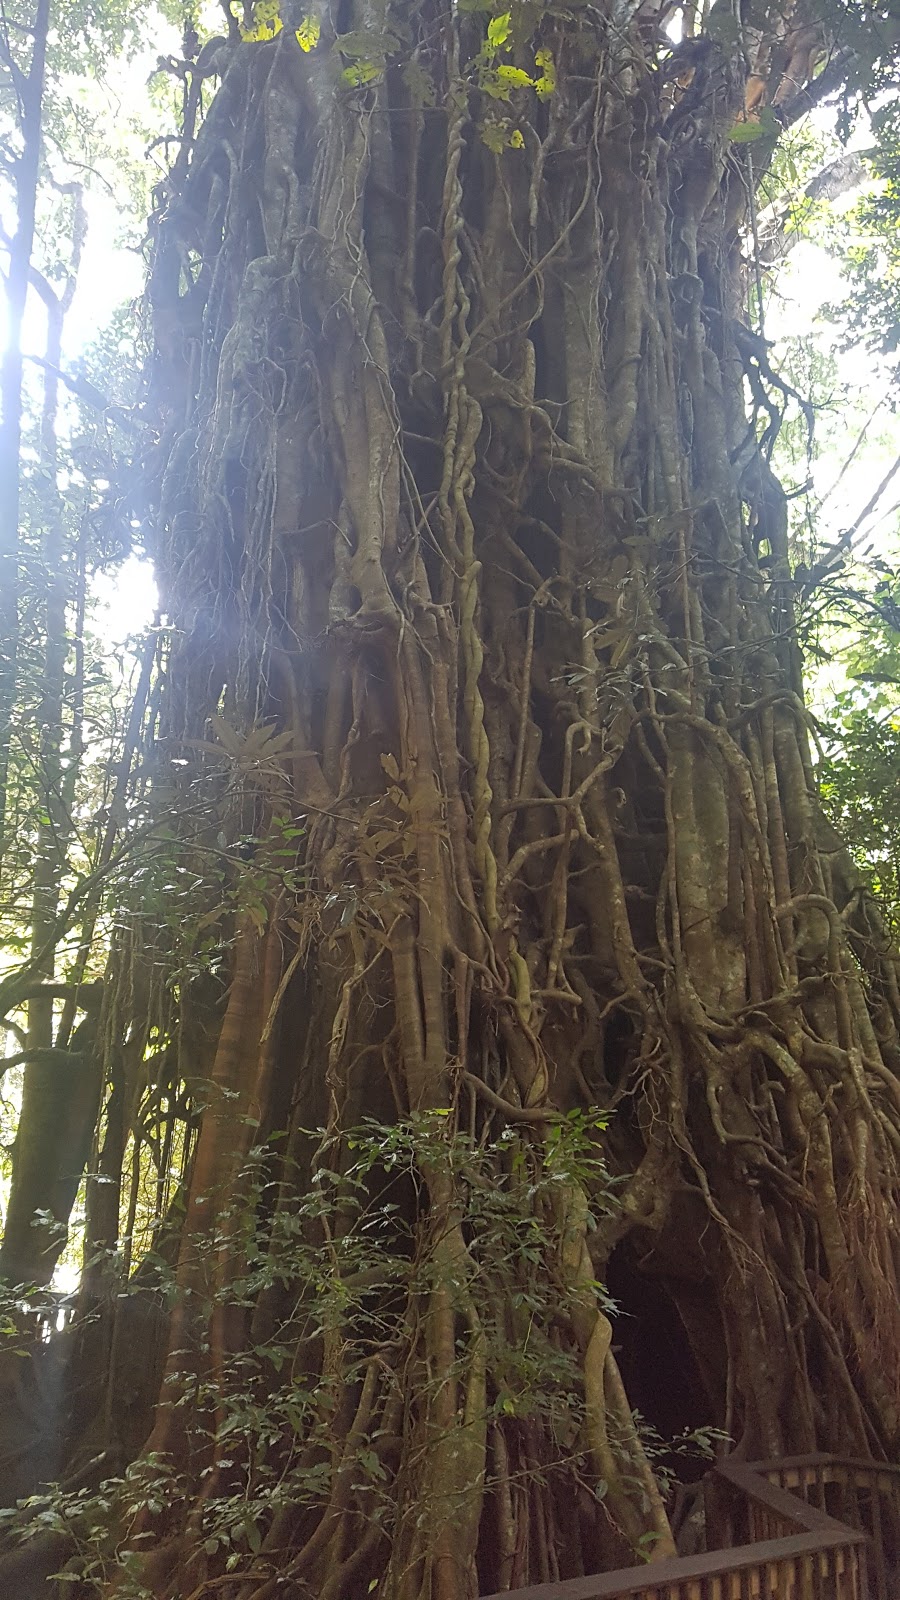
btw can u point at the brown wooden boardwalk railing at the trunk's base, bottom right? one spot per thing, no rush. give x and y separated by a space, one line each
808 1526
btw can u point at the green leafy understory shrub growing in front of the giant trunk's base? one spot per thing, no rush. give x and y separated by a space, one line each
352 1262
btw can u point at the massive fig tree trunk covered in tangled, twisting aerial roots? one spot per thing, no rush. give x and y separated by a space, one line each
484 737
